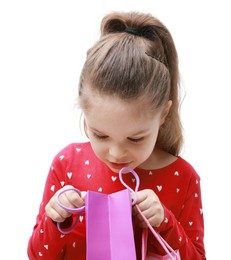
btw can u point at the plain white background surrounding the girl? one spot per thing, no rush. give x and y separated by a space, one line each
42 49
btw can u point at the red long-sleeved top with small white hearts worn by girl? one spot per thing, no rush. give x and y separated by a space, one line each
177 186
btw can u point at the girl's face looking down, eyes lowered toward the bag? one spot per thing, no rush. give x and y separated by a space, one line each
122 134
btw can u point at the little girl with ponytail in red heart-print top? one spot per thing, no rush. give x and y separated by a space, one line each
128 93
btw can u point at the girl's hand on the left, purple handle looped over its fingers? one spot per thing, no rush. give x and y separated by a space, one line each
69 199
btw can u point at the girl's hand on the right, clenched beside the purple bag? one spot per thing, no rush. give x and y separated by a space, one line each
150 205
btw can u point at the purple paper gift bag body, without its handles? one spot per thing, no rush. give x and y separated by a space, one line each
109 229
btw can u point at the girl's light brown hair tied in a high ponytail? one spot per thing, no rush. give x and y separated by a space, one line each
136 57
